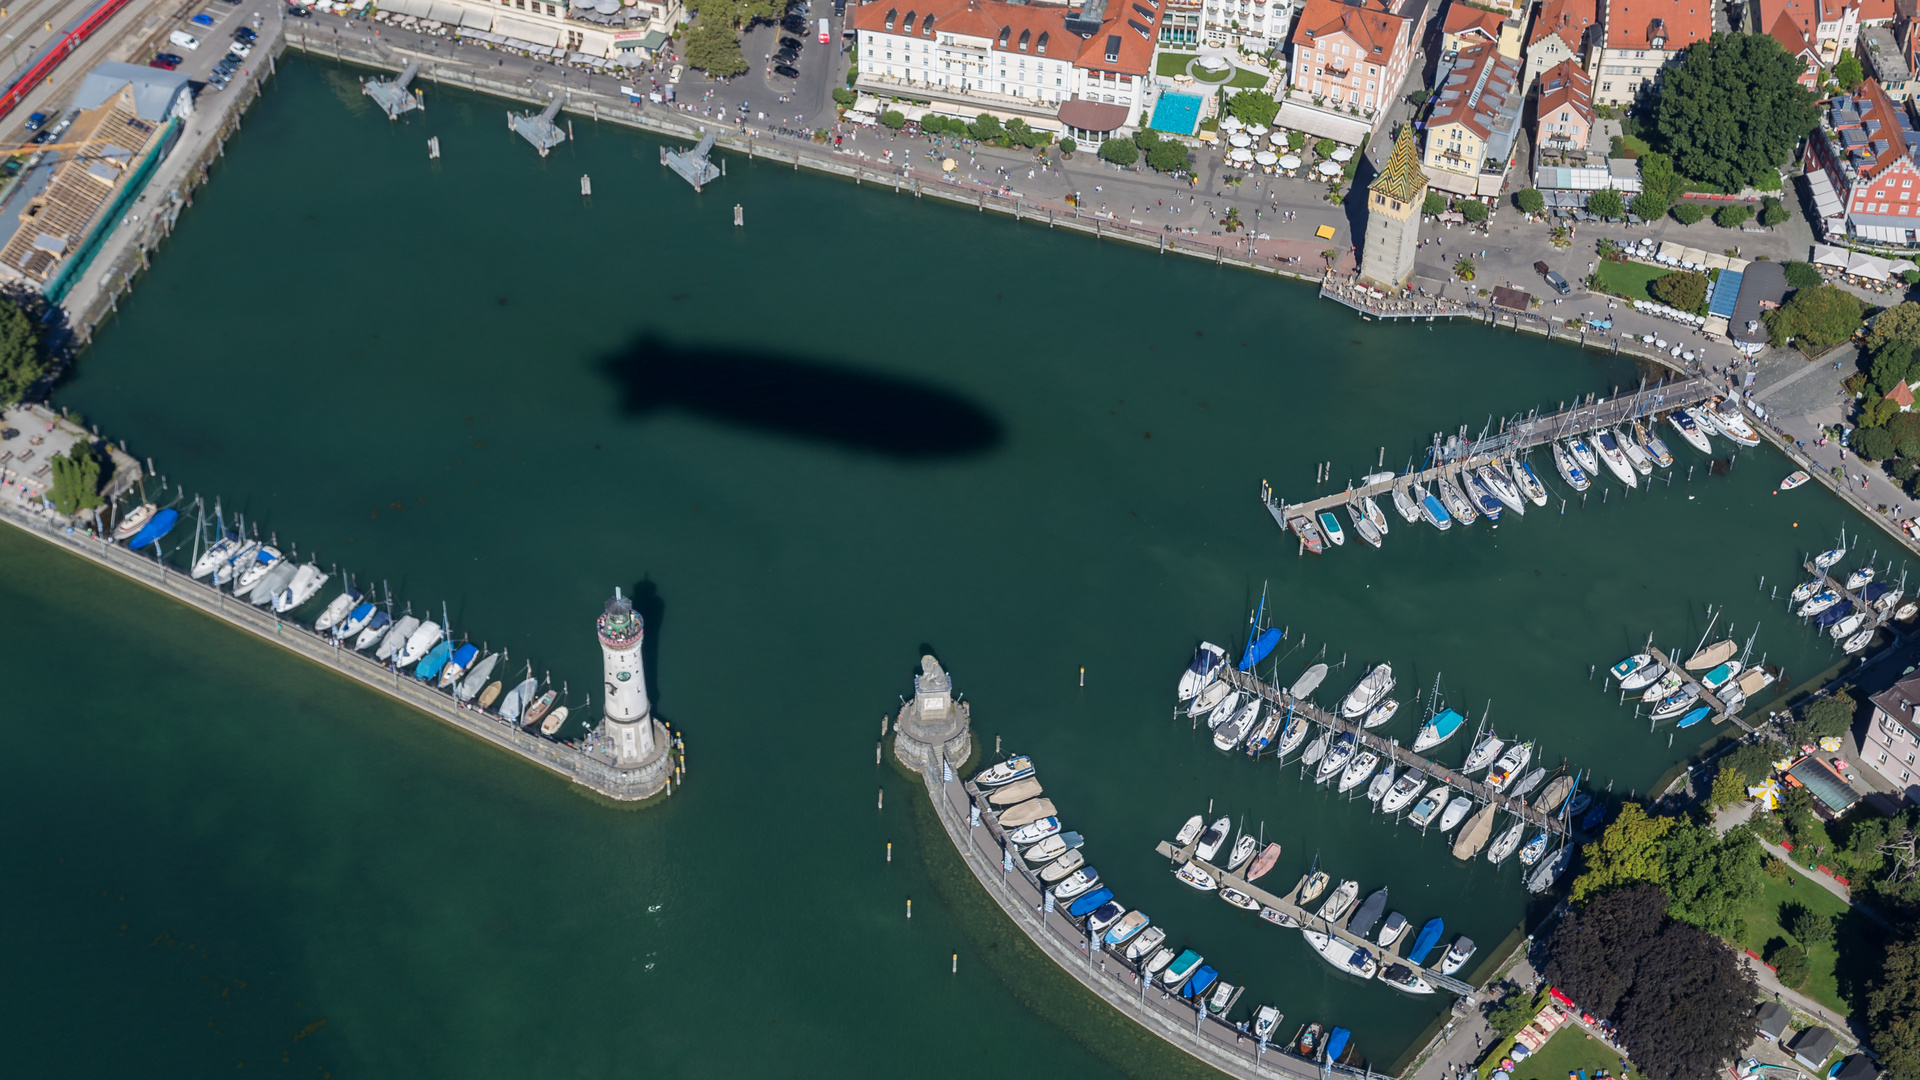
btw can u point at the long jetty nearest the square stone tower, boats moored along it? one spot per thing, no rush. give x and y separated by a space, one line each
1518 437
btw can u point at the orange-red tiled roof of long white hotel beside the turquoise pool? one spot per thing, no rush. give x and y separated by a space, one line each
1011 22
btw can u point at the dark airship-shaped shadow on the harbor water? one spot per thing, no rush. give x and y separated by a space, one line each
800 399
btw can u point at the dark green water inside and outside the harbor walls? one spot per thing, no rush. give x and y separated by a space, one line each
857 430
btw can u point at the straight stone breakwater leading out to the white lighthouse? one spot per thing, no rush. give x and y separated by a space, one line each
588 770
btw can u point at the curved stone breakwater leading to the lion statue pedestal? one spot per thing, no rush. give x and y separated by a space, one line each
1113 979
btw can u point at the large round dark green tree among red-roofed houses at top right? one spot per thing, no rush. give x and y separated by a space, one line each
1735 110
